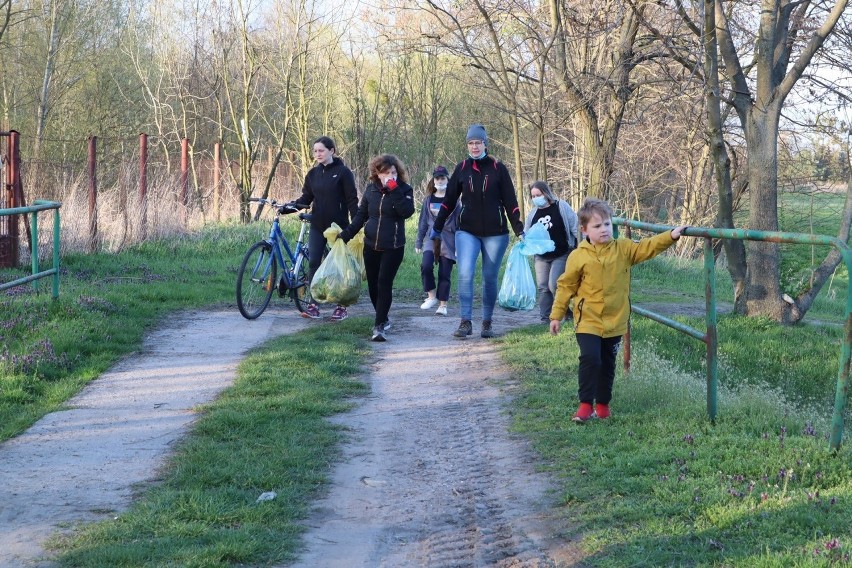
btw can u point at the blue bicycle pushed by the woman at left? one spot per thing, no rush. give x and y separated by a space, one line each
258 275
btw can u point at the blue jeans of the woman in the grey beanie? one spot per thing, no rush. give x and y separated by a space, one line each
468 248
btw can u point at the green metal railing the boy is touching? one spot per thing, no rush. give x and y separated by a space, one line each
710 338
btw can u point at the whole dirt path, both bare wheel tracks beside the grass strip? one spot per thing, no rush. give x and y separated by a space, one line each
431 476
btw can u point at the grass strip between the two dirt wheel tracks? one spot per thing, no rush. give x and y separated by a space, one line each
266 433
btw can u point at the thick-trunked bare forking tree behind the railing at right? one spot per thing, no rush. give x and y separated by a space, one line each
788 37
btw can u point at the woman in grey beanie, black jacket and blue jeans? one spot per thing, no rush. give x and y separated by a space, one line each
488 206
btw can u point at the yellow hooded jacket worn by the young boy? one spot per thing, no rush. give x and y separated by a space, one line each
597 278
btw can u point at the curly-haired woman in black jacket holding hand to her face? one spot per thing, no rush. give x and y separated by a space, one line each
387 202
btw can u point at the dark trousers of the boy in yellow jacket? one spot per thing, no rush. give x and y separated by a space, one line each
597 367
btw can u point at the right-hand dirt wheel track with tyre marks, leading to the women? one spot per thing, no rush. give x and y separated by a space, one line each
432 476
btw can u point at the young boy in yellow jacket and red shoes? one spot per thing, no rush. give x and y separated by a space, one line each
597 278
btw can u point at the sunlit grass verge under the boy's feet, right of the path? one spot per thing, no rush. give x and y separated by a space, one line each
658 485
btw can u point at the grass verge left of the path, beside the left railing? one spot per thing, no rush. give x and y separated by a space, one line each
51 348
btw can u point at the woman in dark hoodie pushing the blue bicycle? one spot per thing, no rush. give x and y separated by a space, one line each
330 188
